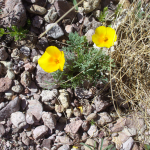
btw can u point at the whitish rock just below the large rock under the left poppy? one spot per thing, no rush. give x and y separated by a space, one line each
48 95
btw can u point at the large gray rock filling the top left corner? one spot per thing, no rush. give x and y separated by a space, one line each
14 13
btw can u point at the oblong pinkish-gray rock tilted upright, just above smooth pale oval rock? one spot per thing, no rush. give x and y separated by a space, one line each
49 120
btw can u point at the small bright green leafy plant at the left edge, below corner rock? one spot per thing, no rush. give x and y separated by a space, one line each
18 34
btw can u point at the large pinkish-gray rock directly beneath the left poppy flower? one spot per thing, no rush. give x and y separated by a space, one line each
44 79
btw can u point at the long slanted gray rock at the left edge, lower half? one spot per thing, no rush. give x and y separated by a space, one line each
12 107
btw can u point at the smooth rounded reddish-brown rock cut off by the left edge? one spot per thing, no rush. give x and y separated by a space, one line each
5 84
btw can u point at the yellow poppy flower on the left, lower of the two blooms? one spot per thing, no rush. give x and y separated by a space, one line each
52 60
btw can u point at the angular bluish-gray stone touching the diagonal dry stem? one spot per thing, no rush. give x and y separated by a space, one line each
55 32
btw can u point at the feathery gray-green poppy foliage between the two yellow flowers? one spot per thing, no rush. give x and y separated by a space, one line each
79 65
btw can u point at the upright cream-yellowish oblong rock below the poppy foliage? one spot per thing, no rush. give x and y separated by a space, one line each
64 98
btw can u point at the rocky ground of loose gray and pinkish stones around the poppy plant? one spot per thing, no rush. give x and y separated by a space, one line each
35 117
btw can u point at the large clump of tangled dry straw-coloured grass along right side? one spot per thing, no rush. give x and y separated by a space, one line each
132 56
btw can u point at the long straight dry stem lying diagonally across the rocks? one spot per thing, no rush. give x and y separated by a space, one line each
60 19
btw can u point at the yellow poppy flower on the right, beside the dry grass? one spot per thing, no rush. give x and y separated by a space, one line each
104 36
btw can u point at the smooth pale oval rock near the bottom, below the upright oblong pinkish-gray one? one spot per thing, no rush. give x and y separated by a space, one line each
40 131
